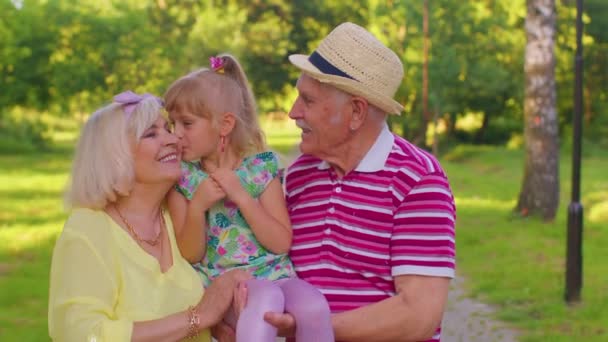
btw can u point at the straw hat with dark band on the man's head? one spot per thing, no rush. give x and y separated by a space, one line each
353 60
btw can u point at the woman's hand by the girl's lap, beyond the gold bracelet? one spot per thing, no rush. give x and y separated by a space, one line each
218 297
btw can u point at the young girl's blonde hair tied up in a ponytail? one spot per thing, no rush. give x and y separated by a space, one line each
209 94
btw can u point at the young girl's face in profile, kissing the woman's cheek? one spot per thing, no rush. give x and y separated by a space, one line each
197 136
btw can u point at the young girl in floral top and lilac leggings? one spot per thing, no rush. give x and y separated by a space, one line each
229 208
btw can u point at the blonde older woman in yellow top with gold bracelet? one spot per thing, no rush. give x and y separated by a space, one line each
116 273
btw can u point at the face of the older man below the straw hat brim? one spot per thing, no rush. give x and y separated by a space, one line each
322 115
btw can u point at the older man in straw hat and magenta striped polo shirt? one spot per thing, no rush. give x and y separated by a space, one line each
373 215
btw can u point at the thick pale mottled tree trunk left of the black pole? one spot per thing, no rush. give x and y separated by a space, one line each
540 188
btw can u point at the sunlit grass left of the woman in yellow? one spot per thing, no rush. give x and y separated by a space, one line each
31 216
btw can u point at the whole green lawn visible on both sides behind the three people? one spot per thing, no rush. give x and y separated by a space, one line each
516 264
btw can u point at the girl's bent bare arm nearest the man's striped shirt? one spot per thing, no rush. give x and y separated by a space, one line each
267 216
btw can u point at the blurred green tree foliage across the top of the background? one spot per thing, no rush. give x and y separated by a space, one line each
63 58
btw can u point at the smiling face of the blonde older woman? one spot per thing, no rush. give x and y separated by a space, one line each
157 155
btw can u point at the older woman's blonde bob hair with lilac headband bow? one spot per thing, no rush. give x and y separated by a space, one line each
103 163
